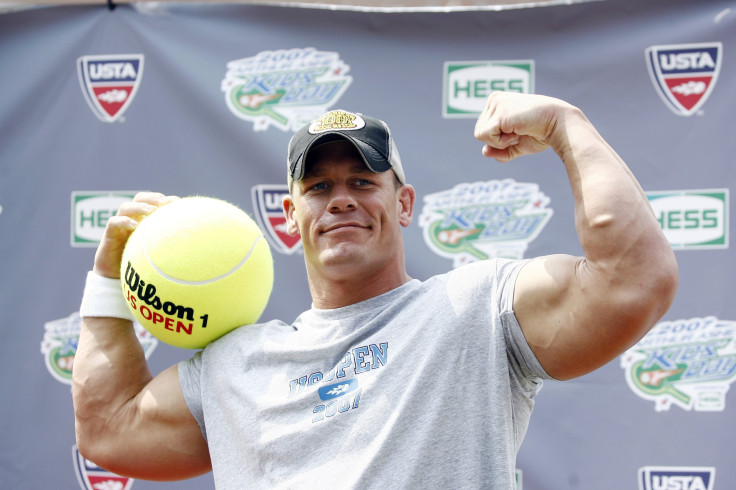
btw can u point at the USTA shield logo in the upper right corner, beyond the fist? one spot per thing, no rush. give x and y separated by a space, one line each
684 74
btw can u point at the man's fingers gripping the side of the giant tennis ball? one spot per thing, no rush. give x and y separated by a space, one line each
119 227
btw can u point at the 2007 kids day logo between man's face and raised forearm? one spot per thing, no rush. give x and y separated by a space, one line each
482 220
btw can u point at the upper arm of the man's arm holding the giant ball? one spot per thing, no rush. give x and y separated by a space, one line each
158 438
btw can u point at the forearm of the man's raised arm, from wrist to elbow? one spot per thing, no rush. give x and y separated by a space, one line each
629 265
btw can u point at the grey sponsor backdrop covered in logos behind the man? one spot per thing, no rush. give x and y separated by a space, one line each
65 163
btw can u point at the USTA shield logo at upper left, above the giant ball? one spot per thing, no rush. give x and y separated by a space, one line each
109 83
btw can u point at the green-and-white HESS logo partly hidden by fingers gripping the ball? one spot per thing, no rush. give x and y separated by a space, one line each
90 212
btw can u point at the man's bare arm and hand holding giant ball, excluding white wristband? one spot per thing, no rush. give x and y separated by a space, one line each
127 421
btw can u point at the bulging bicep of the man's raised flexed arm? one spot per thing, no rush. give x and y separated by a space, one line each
575 318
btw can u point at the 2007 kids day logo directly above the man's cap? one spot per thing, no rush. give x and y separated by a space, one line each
284 88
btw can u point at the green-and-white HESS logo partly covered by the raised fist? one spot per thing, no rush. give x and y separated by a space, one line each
467 84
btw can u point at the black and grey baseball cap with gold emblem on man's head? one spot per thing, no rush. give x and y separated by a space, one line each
370 136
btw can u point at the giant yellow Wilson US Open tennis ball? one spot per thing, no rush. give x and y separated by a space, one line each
195 269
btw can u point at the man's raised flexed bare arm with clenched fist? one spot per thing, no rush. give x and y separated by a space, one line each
578 313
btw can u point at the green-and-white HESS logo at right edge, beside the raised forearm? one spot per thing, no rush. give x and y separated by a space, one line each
692 219
